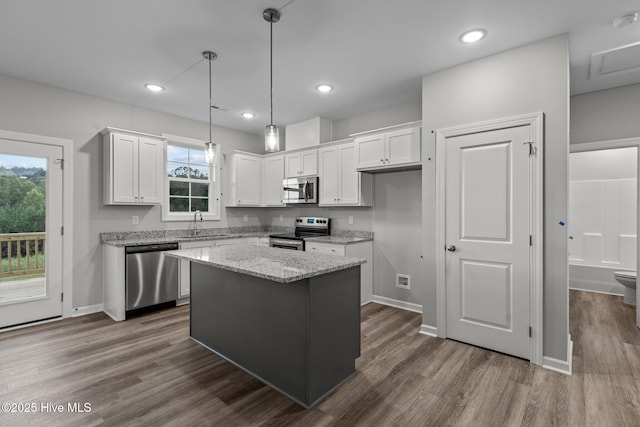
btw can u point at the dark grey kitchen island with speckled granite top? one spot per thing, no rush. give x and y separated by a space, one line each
289 318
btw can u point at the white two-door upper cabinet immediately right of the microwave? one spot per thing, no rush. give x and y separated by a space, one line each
341 183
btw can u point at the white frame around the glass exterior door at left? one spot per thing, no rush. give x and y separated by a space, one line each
67 207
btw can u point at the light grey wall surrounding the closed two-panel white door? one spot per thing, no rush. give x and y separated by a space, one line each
532 78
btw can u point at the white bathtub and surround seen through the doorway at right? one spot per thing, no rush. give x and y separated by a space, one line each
602 218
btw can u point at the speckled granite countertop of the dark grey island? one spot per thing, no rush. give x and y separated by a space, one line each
278 265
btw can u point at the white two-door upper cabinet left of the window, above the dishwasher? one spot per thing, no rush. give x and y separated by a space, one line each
132 167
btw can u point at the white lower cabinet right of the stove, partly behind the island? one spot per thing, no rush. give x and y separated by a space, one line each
357 250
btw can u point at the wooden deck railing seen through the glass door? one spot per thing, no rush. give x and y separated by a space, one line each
21 254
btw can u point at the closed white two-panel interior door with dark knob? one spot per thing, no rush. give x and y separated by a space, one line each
487 216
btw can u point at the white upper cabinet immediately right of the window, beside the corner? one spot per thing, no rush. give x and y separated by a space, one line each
244 176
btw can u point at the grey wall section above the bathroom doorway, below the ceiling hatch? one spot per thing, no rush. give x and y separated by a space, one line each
605 115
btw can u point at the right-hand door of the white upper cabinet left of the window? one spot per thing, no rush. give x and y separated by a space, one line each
150 171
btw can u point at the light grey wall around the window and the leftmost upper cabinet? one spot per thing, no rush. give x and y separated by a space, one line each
44 110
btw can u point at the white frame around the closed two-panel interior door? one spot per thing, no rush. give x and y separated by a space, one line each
536 123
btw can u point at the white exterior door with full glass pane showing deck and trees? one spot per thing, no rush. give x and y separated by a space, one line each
31 243
